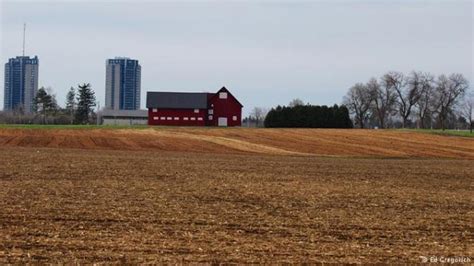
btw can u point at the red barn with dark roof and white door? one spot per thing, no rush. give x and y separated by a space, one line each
194 109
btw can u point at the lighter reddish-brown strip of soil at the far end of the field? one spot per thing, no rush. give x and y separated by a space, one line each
327 142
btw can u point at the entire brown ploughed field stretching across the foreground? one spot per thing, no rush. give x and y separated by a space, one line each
192 196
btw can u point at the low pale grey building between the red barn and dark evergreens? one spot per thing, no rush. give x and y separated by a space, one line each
123 117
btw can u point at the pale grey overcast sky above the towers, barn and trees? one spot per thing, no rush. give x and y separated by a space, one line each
266 53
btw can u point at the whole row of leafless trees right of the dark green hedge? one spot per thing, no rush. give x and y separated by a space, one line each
415 100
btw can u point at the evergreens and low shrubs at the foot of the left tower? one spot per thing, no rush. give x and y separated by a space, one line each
80 102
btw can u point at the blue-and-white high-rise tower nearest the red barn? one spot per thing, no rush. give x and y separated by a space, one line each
122 84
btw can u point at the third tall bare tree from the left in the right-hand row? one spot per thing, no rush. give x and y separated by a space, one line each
408 92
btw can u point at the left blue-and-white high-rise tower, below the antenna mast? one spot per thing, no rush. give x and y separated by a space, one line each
21 83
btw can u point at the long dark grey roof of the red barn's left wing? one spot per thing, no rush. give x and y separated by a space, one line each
176 100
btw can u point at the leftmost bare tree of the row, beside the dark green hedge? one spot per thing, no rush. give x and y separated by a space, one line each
358 100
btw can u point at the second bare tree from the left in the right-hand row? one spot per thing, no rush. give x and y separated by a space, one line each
383 97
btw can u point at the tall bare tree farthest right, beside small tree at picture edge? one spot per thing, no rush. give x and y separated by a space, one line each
447 93
